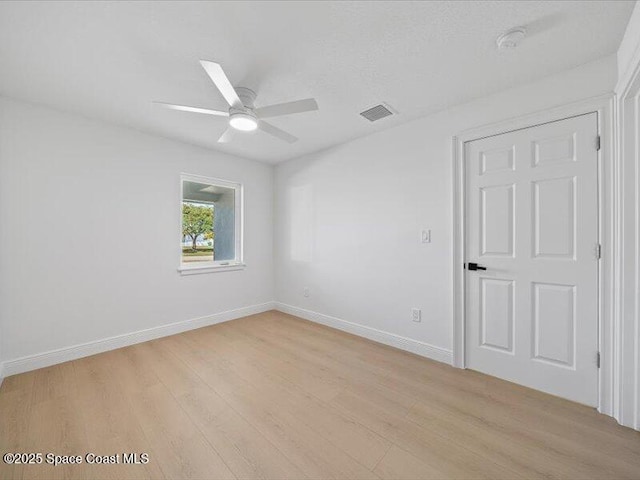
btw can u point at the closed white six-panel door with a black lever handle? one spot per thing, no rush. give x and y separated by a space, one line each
532 221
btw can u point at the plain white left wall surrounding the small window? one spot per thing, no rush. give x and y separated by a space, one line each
74 193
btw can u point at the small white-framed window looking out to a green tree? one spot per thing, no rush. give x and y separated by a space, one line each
211 226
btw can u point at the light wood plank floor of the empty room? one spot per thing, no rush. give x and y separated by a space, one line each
273 396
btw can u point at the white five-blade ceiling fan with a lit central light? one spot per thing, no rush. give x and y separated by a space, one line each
242 113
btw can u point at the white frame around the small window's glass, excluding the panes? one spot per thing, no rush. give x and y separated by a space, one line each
223 265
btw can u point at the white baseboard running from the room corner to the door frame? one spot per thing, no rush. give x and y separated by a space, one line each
403 343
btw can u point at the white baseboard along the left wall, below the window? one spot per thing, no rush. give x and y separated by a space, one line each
53 357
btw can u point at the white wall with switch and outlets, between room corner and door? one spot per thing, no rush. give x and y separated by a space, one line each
348 218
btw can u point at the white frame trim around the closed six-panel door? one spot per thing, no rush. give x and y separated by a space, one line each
607 227
